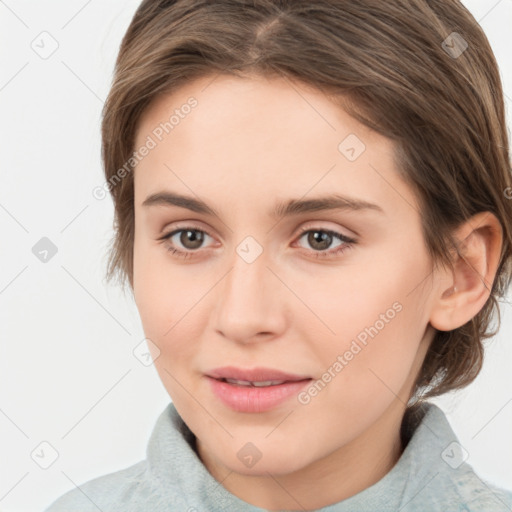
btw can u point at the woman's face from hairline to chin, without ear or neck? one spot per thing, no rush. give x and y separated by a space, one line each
268 276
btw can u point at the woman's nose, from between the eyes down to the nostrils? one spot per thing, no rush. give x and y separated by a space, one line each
250 302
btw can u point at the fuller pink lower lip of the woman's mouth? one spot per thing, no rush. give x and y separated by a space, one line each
254 399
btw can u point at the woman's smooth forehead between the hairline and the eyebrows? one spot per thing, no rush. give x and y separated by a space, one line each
262 135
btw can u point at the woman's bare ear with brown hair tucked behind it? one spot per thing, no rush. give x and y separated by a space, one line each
463 292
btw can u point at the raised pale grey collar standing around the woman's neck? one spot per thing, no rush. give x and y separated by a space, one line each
426 434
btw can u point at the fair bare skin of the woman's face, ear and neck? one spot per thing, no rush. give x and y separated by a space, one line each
248 144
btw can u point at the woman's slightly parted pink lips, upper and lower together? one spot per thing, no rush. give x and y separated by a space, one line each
254 399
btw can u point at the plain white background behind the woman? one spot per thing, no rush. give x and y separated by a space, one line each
67 372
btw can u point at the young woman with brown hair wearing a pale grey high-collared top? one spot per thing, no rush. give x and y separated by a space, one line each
313 213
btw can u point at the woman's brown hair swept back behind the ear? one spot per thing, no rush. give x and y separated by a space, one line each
398 68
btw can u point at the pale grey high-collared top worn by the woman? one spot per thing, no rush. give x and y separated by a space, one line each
430 475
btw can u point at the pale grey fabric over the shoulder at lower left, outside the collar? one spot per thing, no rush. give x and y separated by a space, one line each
114 491
